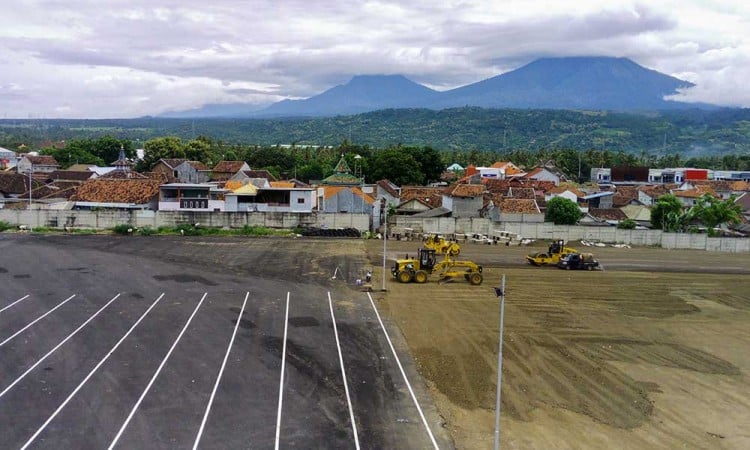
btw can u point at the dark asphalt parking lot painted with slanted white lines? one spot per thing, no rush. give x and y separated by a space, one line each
101 347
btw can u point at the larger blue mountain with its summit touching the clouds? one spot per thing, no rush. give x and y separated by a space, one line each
599 83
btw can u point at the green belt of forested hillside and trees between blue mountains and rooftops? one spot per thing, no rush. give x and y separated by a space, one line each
408 146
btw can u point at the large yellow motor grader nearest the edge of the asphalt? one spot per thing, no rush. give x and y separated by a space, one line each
419 269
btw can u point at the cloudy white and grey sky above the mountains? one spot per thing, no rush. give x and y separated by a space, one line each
131 58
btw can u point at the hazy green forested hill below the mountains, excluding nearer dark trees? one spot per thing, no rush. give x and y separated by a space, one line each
689 132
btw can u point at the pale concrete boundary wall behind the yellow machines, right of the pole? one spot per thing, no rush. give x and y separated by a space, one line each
550 231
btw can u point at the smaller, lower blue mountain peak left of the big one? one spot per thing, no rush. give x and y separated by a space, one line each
361 94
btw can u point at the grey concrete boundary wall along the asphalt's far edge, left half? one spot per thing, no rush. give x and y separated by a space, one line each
155 219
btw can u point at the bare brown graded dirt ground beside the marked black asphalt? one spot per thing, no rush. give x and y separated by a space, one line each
652 352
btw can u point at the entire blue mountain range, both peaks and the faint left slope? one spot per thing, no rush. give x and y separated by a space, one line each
575 83
